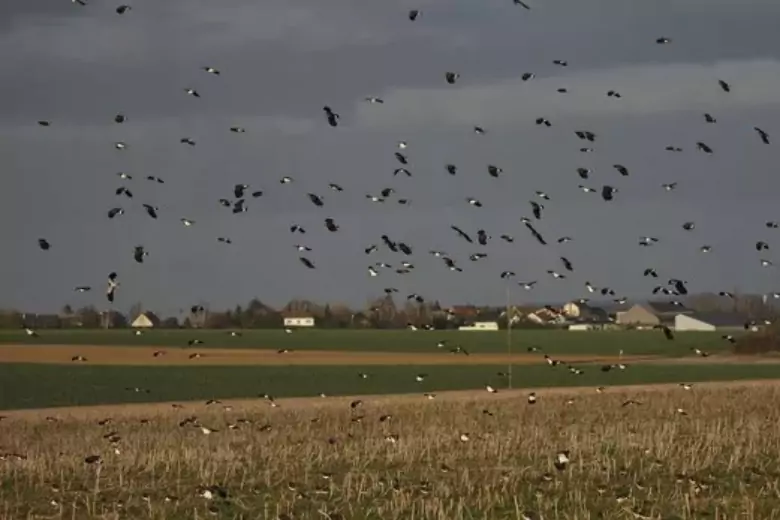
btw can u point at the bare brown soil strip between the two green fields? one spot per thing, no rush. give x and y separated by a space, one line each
176 356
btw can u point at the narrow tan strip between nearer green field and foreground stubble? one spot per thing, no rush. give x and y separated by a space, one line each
152 410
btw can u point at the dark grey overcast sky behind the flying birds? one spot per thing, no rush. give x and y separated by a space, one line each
281 61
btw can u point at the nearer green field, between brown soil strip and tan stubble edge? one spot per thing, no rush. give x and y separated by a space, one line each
37 385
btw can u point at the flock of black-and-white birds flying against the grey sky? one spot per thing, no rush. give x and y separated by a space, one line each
242 193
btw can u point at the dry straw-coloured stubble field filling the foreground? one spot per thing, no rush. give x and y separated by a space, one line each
635 461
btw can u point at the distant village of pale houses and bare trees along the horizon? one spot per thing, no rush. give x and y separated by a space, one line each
698 312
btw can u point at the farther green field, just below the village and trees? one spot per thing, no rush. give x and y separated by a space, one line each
552 341
